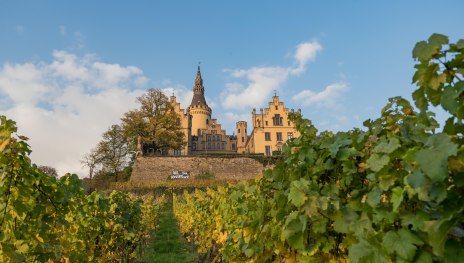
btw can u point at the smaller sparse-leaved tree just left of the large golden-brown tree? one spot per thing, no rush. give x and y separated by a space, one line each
113 151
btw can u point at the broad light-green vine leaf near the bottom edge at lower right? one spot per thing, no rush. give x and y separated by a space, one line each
402 243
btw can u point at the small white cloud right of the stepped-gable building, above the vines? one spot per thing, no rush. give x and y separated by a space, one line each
328 98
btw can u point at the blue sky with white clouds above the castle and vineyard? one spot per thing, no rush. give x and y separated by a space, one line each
70 69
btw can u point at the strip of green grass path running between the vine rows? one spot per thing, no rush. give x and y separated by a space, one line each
168 245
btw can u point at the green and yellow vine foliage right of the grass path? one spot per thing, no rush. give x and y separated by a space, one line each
392 193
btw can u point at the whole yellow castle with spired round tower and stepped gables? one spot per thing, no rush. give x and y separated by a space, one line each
271 128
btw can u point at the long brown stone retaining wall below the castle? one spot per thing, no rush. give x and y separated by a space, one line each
149 169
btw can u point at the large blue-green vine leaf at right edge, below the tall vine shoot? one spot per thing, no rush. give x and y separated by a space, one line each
433 159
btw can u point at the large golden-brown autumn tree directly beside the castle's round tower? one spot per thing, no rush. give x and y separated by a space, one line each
155 122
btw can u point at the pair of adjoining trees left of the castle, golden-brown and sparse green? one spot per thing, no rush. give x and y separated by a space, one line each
154 123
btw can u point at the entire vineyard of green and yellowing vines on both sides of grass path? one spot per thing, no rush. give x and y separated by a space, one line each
390 193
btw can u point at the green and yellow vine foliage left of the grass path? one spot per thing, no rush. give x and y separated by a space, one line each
43 218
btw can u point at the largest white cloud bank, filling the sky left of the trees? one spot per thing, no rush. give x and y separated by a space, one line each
64 106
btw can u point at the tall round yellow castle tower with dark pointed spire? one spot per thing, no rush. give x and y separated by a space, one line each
198 109
